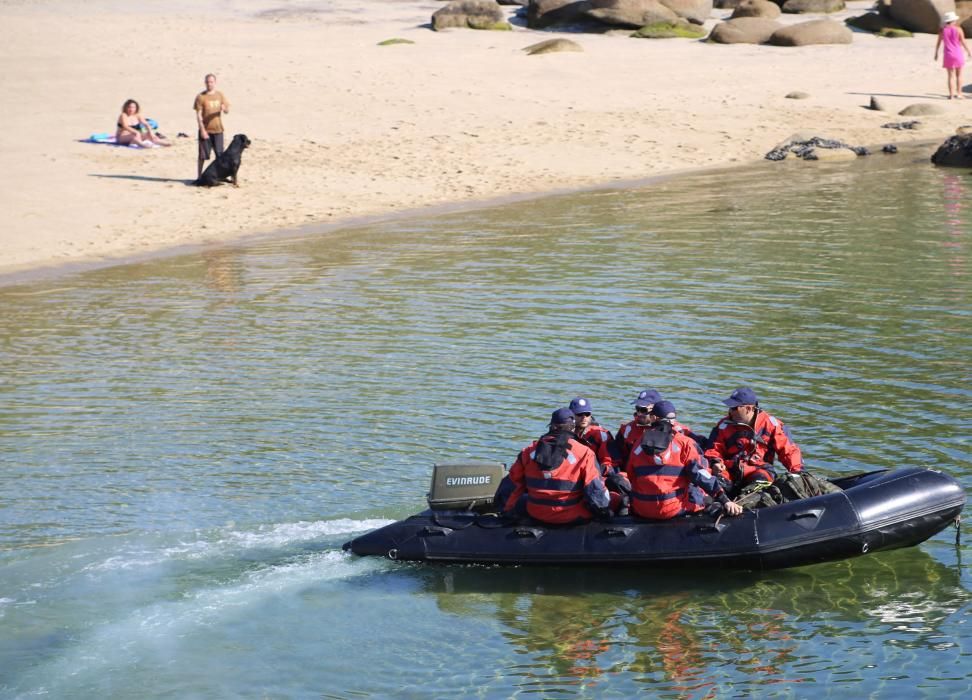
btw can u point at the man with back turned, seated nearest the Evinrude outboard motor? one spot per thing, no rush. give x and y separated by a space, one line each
556 479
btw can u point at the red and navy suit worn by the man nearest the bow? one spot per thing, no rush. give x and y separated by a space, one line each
749 451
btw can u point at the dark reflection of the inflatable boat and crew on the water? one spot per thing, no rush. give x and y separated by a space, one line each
689 638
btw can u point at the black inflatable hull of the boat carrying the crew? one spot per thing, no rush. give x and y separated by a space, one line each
875 511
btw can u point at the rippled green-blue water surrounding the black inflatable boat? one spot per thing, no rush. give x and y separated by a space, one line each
186 443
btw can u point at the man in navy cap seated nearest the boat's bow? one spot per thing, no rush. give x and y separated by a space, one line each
744 444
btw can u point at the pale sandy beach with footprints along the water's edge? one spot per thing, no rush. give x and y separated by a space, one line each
343 128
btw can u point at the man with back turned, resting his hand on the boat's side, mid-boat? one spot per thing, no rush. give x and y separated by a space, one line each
668 474
